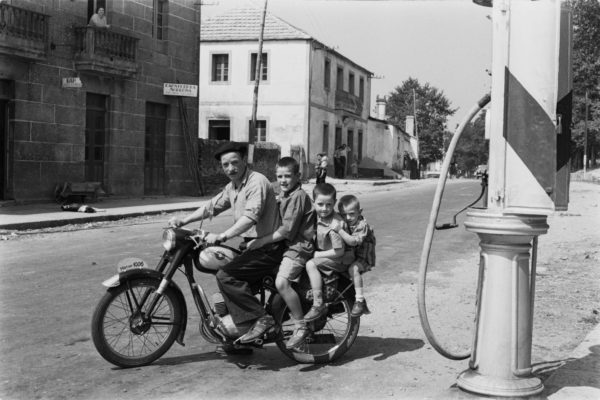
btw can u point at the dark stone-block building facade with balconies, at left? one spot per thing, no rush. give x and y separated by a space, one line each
86 104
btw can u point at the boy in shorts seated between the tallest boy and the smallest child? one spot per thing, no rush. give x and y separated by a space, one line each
329 247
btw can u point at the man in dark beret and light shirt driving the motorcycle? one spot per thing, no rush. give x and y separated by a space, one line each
256 214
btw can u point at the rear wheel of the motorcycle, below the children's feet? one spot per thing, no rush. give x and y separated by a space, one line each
331 336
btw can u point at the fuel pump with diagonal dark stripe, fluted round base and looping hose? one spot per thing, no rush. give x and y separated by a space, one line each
528 180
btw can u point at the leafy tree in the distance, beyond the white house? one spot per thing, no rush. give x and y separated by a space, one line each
432 109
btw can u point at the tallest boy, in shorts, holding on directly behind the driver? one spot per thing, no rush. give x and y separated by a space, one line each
297 230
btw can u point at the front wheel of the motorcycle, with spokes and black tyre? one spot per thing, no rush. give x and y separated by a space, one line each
123 331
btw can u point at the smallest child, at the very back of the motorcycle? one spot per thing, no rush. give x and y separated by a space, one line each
361 240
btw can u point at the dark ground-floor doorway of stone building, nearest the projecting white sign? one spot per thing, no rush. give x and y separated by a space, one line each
154 154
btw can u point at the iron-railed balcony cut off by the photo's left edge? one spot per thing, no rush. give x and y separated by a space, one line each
23 33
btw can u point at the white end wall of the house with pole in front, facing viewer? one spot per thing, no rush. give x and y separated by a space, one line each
282 100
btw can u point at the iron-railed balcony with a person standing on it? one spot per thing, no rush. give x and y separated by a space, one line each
105 51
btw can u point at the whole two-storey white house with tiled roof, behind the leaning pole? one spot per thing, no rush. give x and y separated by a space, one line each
311 99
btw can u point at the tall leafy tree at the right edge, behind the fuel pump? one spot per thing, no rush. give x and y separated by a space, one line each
586 78
